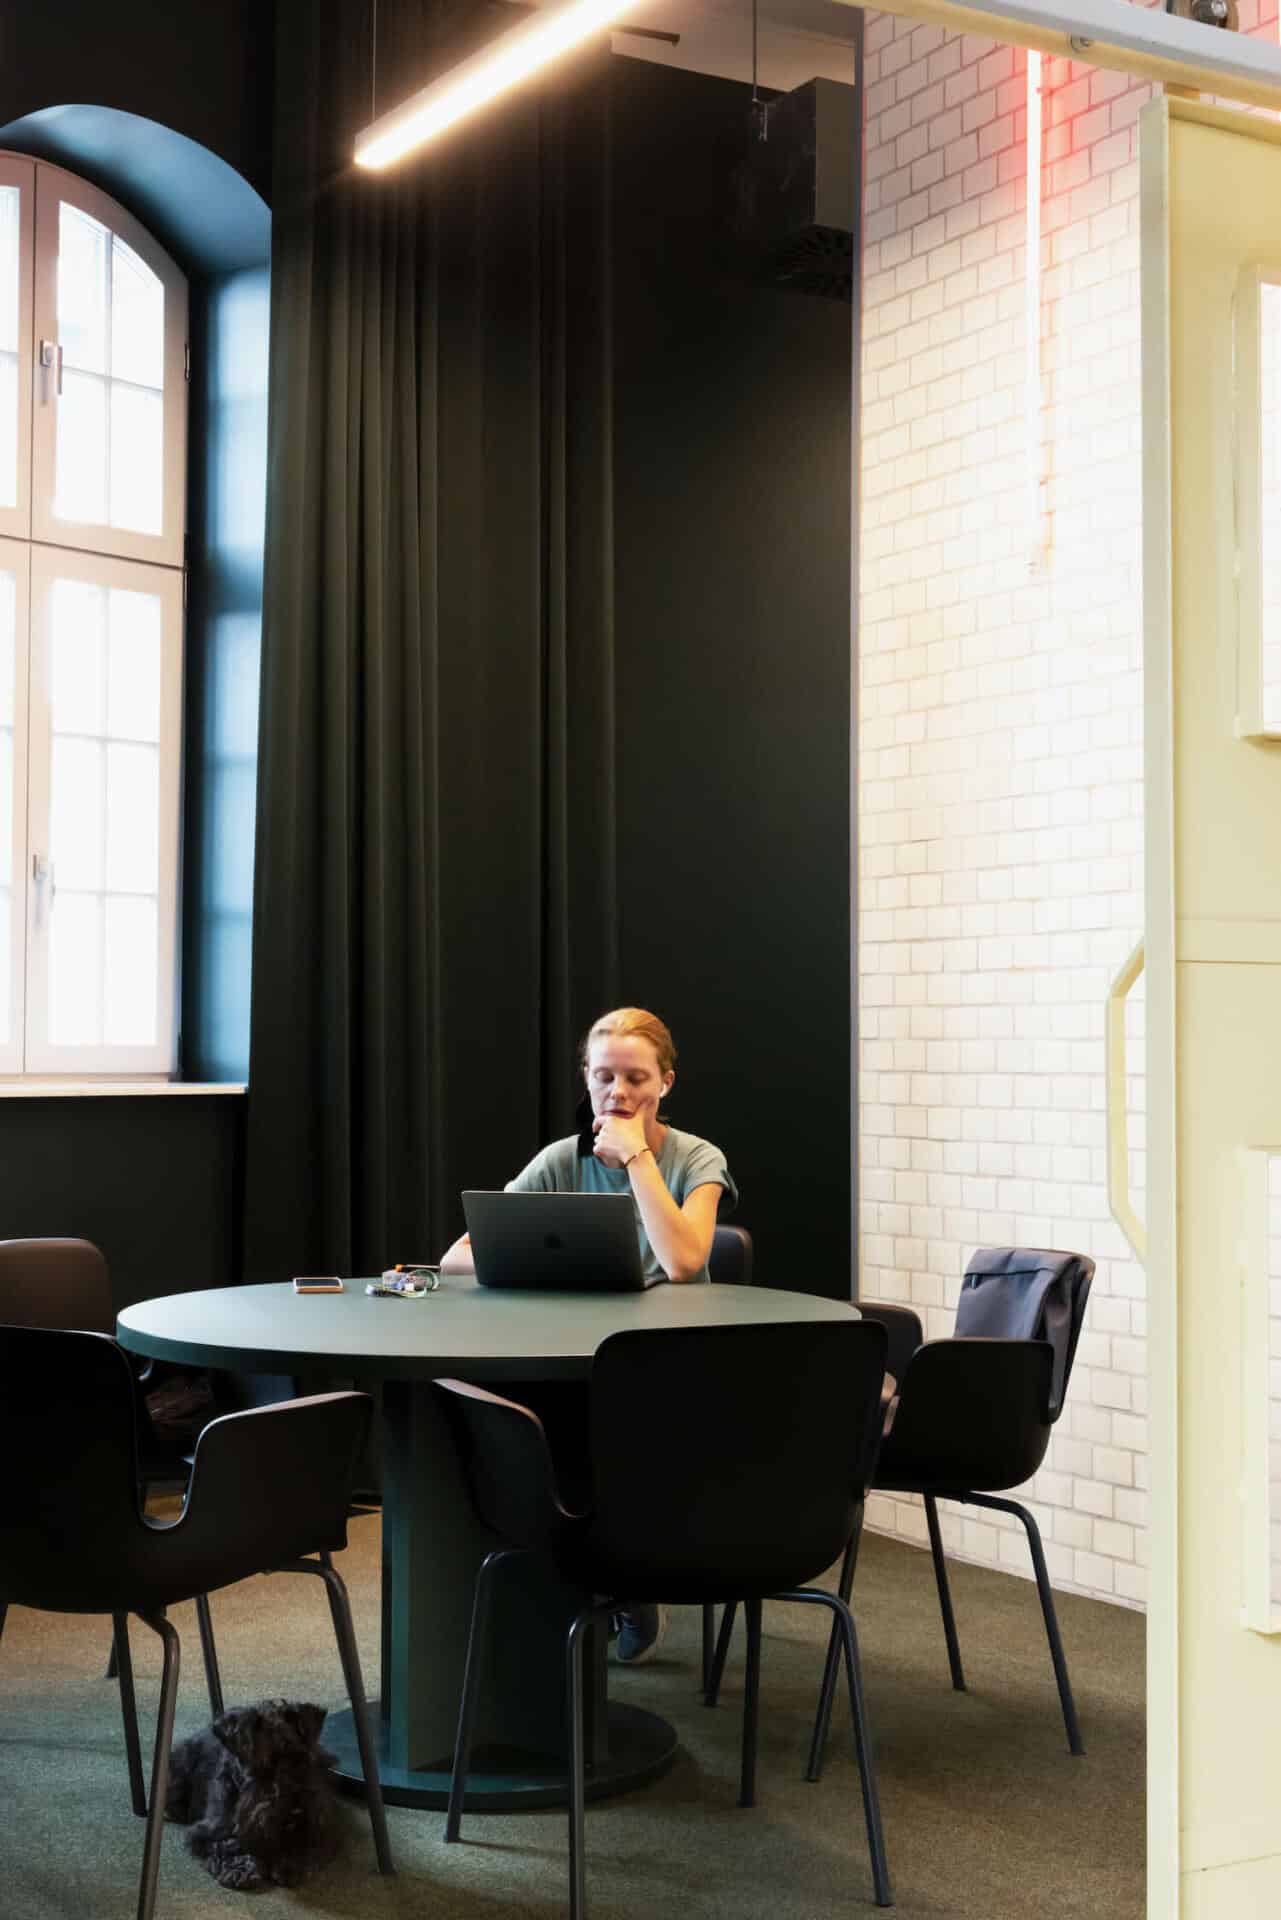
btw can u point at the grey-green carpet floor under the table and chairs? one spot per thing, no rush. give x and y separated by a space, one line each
986 1813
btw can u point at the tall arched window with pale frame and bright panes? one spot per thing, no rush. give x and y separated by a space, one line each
93 529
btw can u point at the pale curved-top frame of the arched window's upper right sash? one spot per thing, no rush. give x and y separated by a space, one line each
166 548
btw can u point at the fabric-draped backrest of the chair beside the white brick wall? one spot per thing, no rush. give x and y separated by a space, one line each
1021 1293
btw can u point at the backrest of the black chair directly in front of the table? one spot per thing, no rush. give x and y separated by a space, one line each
737 1452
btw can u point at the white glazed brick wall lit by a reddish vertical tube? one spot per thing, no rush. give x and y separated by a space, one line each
1002 732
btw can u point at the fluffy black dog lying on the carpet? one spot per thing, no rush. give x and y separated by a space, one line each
256 1796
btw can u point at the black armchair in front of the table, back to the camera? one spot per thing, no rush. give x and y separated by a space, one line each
514 1489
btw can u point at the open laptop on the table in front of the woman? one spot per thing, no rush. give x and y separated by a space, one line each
556 1243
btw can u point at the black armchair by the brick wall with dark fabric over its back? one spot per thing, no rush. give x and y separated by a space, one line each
975 1416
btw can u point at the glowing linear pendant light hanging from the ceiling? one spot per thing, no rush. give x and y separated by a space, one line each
473 84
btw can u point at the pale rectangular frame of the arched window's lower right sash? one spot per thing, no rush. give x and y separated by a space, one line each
41 1055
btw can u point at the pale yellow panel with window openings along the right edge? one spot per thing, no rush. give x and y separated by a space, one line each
1211 208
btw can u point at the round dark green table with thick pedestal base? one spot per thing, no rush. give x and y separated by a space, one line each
431 1539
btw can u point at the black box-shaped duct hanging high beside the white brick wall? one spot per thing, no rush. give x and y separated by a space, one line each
798 191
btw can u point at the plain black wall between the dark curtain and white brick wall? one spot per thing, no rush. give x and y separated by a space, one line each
735 671
